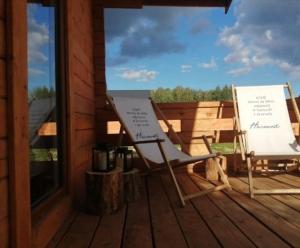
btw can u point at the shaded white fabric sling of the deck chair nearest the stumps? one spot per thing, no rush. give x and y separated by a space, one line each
140 122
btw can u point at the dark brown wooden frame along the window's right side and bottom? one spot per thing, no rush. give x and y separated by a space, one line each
46 204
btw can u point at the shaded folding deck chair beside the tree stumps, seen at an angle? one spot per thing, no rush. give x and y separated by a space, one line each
138 119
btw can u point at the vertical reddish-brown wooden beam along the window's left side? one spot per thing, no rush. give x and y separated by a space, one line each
20 212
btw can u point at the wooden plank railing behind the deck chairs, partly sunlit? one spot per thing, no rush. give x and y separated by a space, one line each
191 120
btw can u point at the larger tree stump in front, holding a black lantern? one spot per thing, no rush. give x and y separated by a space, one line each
104 191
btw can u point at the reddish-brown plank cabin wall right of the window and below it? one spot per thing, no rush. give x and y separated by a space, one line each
80 91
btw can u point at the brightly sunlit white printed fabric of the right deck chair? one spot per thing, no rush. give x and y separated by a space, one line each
264 115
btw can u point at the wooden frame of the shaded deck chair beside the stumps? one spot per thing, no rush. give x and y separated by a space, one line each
171 163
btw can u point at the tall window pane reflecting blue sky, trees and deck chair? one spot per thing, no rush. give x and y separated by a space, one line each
45 99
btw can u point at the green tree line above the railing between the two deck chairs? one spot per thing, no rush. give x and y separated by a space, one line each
183 94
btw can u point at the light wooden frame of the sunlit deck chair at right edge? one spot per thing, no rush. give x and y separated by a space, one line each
249 156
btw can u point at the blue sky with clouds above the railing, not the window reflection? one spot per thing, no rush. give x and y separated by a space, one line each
257 42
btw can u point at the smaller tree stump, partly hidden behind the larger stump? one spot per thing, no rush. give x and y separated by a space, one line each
132 185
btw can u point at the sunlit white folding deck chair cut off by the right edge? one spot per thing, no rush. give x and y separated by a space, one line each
264 129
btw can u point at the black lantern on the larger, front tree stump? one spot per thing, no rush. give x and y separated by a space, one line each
103 157
